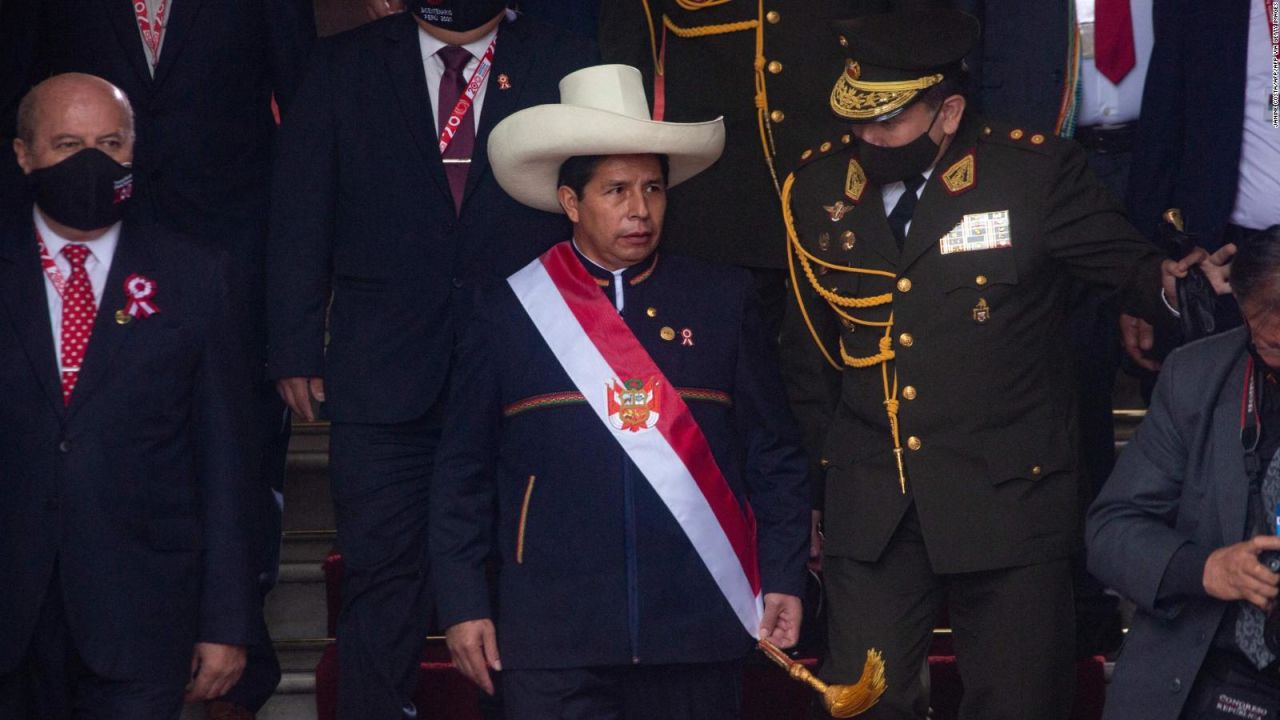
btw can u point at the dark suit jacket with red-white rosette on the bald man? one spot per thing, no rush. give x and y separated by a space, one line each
136 493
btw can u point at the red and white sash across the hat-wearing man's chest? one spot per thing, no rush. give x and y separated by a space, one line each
600 352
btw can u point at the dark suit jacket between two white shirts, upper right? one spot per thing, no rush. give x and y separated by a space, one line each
1188 148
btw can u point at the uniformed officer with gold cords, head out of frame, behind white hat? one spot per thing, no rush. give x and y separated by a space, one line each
758 66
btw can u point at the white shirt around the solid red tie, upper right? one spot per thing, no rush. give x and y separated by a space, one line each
1104 103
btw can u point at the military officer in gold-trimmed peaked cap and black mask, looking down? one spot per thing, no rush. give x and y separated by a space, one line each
927 361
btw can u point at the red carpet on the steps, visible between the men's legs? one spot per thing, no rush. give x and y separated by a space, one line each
444 694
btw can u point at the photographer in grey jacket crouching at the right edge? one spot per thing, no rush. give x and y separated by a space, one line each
1187 525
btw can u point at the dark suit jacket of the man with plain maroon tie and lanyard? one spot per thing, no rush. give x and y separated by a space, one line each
362 208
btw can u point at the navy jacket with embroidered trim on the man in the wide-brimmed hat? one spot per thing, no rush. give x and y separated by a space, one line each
593 568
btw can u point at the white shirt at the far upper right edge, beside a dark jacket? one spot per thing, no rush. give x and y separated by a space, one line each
1258 197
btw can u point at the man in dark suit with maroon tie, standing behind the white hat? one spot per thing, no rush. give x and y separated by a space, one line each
378 241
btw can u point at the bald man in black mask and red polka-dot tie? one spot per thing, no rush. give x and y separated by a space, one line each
127 562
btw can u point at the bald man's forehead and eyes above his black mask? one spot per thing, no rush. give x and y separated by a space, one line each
71 119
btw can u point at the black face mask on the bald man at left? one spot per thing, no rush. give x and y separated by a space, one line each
86 192
